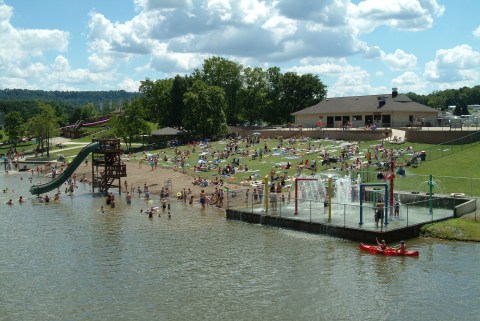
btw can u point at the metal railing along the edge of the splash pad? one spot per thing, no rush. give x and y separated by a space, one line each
420 210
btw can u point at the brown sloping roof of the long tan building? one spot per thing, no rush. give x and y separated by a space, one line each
365 104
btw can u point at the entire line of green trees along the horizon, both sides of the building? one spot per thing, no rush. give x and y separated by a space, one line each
204 103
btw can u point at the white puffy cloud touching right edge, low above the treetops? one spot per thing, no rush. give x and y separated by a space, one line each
457 66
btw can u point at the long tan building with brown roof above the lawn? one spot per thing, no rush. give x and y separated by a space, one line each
390 110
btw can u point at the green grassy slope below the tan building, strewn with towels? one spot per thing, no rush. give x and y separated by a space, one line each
415 179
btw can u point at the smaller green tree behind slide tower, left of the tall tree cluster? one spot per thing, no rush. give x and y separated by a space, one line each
130 122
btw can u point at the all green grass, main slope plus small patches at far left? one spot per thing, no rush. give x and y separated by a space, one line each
454 172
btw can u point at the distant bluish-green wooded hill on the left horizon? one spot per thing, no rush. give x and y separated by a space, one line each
73 98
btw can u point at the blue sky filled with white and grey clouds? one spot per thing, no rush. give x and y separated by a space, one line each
355 47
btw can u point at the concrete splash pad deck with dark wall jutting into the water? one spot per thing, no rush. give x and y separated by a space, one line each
313 217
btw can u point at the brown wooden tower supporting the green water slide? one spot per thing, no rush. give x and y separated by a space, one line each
107 167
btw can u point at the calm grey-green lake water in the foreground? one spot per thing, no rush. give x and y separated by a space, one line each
69 261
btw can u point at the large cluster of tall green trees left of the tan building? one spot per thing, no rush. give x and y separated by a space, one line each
224 92
